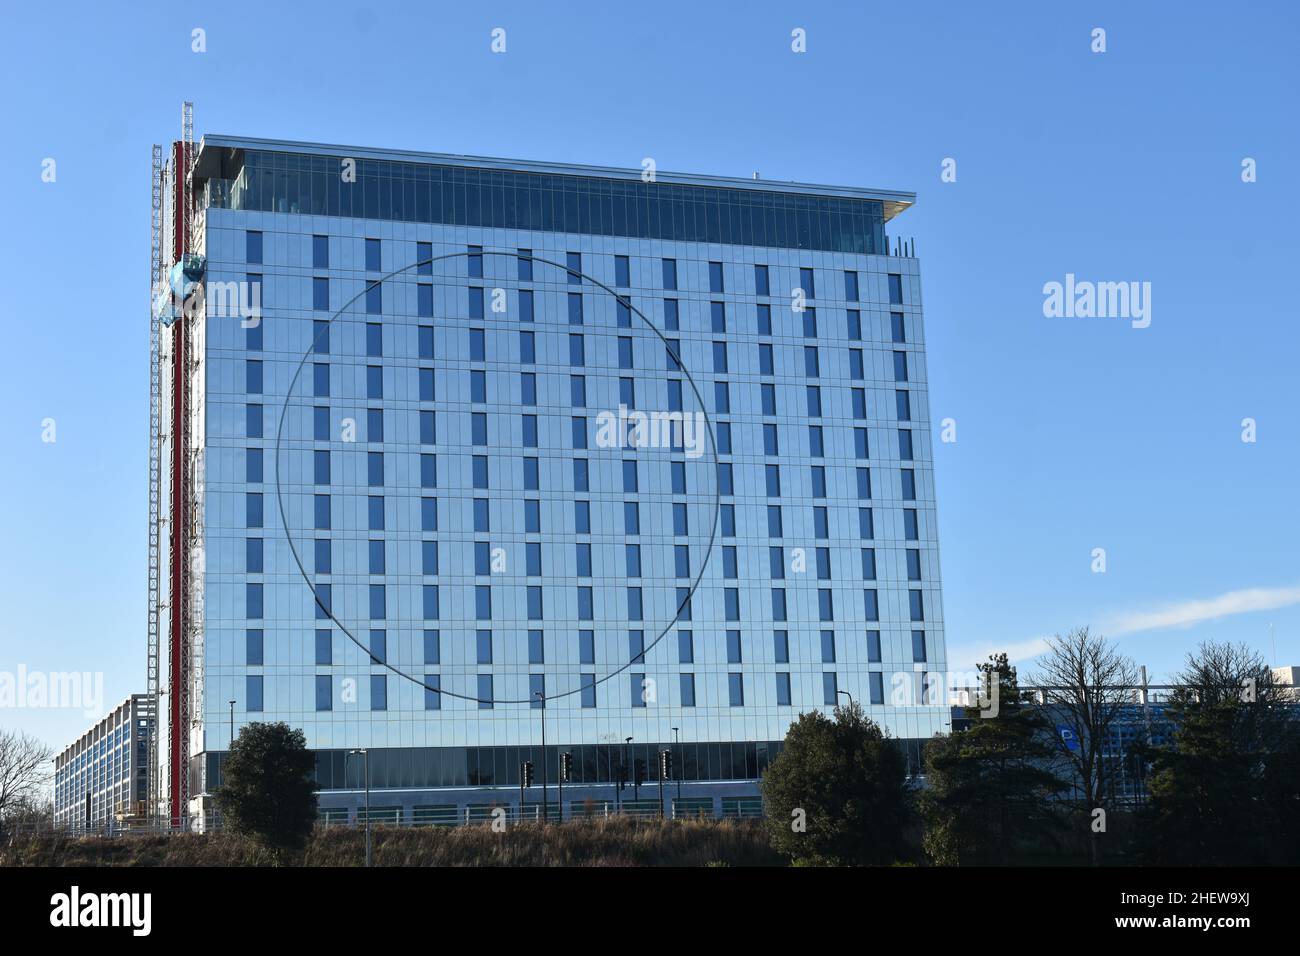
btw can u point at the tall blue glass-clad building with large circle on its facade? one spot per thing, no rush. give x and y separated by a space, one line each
643 457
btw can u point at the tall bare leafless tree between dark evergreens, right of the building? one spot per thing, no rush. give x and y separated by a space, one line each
1086 685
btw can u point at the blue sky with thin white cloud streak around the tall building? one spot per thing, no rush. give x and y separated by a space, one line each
1072 434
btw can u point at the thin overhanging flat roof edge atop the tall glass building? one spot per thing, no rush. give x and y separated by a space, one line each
895 201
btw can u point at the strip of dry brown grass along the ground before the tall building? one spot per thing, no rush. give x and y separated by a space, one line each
614 842
